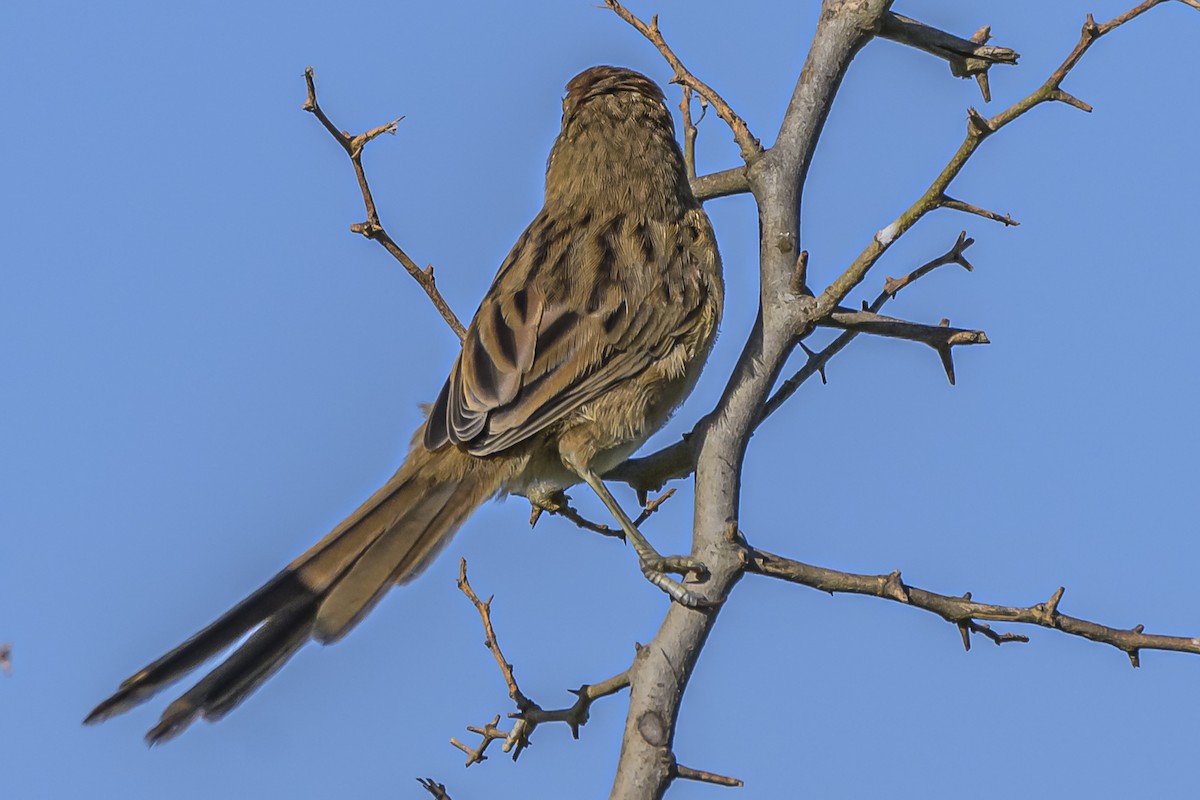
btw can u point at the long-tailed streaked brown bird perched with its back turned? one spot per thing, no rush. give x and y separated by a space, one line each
593 332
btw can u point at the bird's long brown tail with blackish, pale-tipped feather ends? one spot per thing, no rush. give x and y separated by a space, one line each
321 596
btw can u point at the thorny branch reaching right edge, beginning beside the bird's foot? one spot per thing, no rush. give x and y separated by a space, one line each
964 612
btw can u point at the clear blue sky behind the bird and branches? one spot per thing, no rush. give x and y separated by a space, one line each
203 371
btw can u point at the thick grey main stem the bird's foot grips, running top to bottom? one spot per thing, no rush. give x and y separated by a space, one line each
662 670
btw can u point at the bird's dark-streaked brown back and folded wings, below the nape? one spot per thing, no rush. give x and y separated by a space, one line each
568 317
